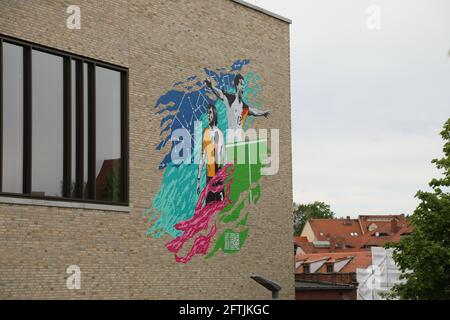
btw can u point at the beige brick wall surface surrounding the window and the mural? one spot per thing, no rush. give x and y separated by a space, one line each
160 41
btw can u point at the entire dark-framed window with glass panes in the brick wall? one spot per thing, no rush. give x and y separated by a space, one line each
63 125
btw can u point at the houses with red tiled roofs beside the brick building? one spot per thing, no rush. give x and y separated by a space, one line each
329 252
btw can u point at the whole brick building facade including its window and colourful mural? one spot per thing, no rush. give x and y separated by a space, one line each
119 179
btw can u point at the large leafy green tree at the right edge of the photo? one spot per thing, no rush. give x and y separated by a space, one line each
424 256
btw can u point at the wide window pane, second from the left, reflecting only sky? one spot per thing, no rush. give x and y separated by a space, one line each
47 124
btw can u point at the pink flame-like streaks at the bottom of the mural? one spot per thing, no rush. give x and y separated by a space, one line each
202 217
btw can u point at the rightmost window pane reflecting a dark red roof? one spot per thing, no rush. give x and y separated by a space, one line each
108 135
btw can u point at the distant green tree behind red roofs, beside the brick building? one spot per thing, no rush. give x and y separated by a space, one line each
304 212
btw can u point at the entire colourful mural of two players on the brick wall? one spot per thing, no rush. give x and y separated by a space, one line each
211 177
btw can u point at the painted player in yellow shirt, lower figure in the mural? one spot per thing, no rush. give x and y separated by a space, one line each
213 153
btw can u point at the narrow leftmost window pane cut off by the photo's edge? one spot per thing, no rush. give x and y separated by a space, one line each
12 118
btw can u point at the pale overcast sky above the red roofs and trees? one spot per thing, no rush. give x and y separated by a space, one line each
367 105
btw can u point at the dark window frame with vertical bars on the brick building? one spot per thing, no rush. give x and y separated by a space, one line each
28 47
